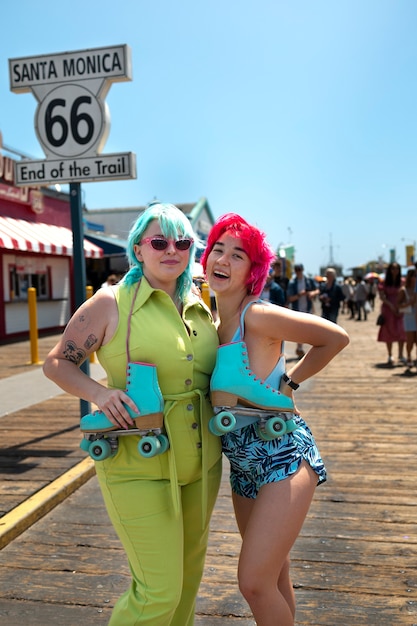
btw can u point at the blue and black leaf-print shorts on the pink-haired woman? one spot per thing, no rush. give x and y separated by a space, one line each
255 462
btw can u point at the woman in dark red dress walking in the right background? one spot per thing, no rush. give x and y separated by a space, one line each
392 330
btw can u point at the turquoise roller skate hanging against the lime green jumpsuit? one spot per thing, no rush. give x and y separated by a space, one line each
101 435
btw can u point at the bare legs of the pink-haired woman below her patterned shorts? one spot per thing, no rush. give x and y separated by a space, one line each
269 527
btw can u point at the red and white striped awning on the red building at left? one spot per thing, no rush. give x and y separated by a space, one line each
43 238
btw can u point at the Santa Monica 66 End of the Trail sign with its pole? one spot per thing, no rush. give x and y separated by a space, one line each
72 123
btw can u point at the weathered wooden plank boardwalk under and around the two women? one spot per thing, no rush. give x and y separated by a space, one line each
355 562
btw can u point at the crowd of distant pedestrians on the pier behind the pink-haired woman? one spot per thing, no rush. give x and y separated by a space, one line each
355 297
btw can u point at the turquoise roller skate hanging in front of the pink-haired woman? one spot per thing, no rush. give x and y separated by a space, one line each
239 398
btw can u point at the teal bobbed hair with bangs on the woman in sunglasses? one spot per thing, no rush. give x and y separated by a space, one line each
174 225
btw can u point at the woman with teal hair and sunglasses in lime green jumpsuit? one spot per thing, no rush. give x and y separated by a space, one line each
153 324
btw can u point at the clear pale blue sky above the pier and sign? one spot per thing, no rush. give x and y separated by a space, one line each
299 115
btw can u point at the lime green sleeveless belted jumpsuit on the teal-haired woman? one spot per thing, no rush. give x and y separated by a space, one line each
161 506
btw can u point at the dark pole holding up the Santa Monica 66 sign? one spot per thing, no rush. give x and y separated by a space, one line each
79 266
